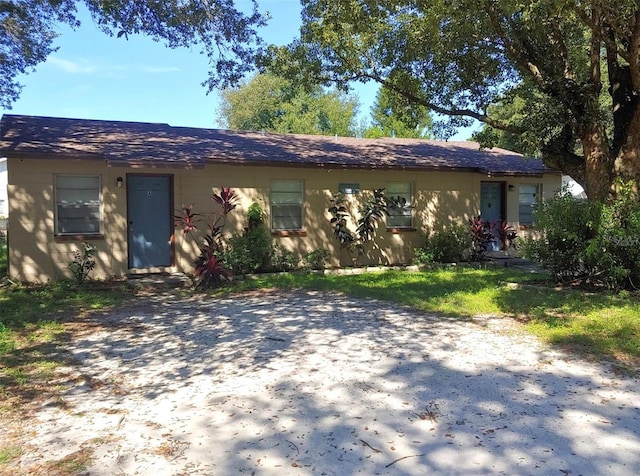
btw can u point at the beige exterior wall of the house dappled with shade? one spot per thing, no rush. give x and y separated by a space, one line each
36 254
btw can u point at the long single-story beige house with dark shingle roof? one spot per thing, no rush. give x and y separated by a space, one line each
118 185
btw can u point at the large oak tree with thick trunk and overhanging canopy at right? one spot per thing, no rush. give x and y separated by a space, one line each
459 58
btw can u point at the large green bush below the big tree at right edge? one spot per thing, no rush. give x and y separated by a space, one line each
590 242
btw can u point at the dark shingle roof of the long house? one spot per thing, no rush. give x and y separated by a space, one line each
140 144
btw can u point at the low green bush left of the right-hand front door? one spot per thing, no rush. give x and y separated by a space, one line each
449 244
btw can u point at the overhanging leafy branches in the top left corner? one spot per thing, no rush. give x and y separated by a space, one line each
227 35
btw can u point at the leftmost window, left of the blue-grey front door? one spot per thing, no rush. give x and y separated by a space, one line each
78 209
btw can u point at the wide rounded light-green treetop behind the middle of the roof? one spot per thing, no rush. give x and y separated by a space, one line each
272 103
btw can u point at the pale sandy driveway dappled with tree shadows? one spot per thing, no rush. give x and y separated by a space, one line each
309 383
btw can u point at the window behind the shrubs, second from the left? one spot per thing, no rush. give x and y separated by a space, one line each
286 198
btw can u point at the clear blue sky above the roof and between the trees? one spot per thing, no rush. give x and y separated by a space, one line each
94 76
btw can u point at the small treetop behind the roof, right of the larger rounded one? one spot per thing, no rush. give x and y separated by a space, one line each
394 116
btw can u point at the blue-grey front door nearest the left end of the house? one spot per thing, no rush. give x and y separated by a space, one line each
149 212
